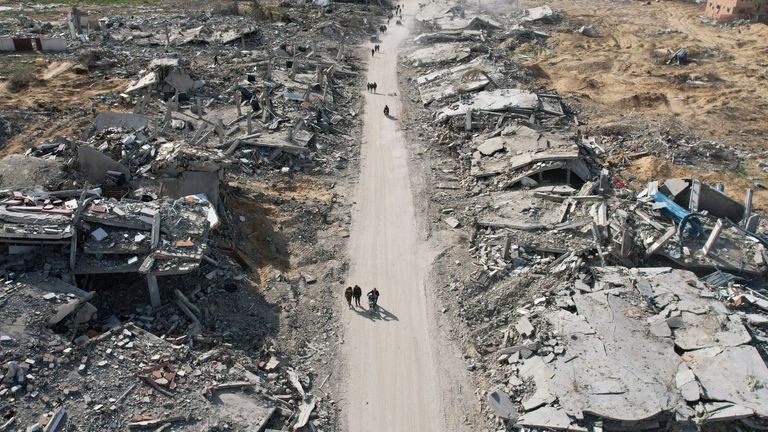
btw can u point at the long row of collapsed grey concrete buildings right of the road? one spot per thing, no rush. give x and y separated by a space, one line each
589 305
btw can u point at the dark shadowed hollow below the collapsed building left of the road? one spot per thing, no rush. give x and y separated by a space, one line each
228 309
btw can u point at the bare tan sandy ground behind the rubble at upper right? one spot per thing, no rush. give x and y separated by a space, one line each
720 94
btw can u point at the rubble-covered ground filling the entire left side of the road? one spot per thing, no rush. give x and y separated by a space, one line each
174 212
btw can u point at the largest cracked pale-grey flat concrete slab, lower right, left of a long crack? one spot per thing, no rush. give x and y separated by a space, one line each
591 359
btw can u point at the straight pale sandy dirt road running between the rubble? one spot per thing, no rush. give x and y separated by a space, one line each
396 379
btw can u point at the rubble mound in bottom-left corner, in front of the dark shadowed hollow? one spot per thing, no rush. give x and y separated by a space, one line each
127 377
